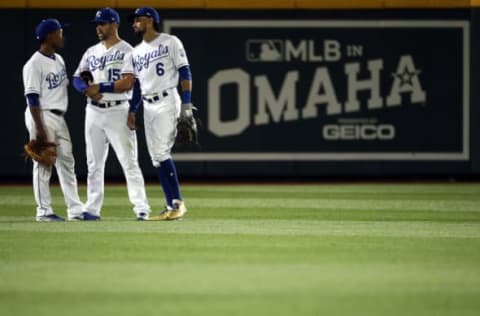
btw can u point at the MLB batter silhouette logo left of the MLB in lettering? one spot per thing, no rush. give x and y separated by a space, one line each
264 50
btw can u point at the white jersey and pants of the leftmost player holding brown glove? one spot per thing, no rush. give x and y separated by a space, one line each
47 77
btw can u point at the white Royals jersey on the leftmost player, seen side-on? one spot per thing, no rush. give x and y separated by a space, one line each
47 77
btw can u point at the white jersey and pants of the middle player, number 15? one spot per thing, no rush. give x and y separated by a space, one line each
106 123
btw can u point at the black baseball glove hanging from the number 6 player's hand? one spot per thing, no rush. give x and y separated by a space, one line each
187 127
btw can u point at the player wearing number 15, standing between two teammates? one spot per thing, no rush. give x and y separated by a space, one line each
109 118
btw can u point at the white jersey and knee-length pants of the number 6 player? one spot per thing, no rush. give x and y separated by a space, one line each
156 67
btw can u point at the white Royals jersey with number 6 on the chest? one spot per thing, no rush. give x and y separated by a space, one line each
157 63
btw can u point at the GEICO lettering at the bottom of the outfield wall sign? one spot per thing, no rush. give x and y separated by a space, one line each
356 131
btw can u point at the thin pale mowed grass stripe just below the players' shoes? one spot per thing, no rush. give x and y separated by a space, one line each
286 227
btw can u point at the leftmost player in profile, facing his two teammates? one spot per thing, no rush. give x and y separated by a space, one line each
45 80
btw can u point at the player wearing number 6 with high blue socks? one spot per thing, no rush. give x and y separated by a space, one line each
160 62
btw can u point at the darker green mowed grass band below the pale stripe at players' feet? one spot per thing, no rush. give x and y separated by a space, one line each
174 248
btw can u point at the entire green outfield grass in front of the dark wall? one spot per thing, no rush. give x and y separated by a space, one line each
329 249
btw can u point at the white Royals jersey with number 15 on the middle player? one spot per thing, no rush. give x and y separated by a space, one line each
108 65
